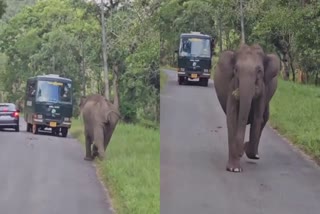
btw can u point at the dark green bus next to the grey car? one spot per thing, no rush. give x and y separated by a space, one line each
48 104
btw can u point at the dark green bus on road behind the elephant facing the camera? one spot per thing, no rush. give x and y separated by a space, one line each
194 57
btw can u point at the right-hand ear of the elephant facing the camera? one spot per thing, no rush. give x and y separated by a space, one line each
272 67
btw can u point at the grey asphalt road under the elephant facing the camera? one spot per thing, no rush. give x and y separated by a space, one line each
194 156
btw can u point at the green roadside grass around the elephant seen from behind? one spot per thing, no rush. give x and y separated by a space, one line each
131 170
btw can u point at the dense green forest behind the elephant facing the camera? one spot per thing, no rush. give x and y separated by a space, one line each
289 28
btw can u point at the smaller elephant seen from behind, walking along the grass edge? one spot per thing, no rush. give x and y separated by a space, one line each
100 118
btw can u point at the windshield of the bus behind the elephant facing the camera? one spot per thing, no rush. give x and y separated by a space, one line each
195 47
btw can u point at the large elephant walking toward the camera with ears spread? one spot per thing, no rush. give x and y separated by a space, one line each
245 81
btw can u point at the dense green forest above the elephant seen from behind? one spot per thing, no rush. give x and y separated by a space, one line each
64 37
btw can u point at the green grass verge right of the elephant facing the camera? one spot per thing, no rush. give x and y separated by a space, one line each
295 114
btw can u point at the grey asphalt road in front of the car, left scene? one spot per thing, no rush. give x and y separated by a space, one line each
47 174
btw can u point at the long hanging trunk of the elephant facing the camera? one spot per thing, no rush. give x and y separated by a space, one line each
246 93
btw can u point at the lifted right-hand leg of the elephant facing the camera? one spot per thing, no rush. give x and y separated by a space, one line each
256 128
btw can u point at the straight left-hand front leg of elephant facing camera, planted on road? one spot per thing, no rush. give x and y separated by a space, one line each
233 164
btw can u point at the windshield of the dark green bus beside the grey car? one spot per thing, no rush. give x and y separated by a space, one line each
53 91
